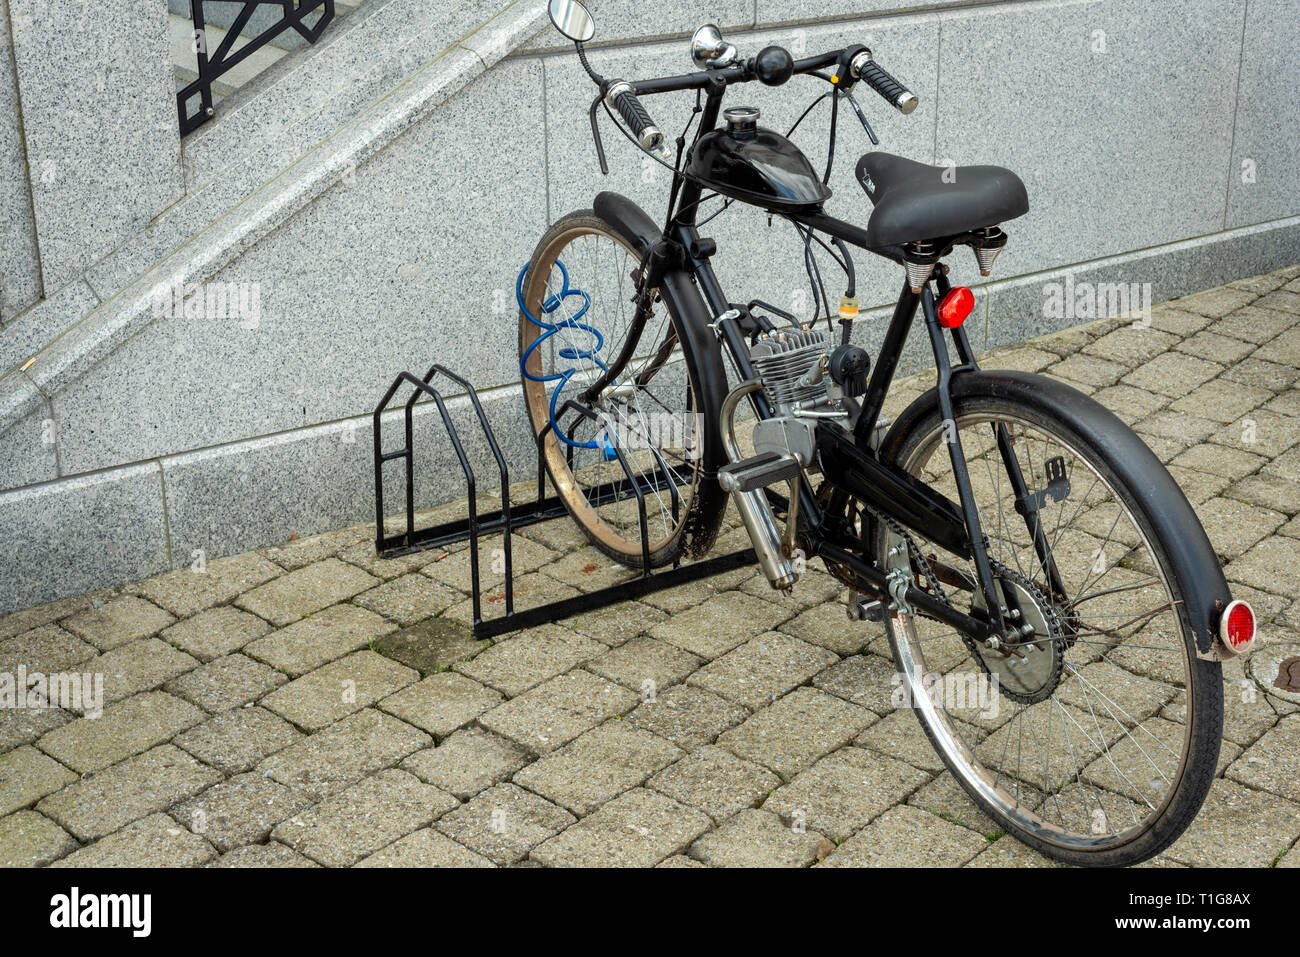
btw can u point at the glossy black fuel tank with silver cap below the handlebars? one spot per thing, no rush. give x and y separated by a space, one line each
756 166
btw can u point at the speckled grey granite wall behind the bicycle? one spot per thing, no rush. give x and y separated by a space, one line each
1154 137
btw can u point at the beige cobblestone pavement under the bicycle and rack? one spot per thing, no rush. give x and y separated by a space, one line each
313 705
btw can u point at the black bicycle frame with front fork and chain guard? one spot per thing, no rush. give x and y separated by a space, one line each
850 466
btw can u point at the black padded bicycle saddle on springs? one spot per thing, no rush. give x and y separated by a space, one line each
915 202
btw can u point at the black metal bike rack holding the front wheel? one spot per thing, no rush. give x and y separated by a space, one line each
509 519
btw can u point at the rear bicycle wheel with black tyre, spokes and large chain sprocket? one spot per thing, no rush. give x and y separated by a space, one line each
1099 744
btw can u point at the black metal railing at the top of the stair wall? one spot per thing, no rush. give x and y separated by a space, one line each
194 102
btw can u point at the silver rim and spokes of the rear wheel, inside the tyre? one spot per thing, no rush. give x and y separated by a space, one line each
1111 744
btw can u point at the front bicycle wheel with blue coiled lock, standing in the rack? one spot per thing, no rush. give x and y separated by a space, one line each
644 432
